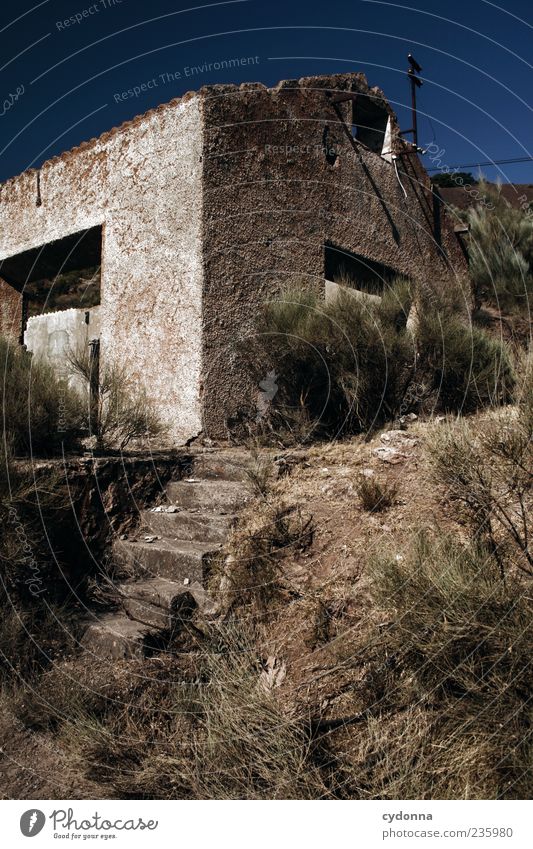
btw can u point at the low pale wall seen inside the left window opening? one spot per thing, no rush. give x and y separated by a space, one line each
53 336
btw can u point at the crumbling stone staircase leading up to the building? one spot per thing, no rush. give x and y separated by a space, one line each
169 558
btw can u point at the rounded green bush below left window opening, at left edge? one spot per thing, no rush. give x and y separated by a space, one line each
40 413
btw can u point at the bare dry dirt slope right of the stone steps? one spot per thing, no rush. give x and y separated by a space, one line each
311 635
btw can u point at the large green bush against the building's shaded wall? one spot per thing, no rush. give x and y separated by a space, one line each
349 365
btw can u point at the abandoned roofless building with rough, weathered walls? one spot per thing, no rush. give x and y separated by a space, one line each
199 211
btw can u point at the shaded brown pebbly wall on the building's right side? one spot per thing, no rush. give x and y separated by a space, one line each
272 198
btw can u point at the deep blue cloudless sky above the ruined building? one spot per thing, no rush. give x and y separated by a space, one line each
477 65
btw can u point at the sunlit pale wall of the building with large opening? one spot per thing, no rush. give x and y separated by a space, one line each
142 183
